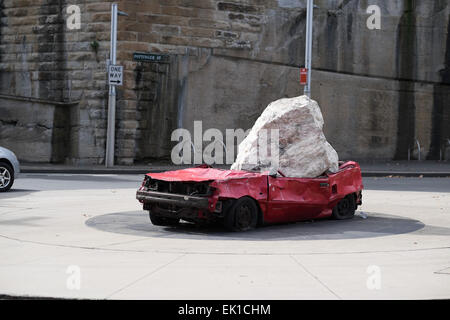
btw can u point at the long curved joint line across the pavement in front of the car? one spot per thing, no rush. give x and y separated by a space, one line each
221 253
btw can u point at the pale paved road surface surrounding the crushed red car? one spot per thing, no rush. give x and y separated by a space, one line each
85 236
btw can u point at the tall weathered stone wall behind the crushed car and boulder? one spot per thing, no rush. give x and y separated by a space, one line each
379 90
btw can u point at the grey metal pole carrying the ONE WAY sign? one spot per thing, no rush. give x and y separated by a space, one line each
110 133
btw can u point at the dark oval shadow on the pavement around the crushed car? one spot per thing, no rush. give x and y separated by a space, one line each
376 225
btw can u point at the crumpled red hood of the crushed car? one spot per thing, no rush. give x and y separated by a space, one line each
203 174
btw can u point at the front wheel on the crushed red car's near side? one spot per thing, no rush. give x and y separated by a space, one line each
242 216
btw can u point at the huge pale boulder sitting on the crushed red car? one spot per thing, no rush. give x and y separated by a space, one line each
303 150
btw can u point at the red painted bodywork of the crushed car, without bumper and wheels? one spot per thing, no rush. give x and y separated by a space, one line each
281 199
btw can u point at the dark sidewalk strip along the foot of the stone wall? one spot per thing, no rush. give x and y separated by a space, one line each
369 169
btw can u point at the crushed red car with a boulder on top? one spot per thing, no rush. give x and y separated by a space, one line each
242 200
